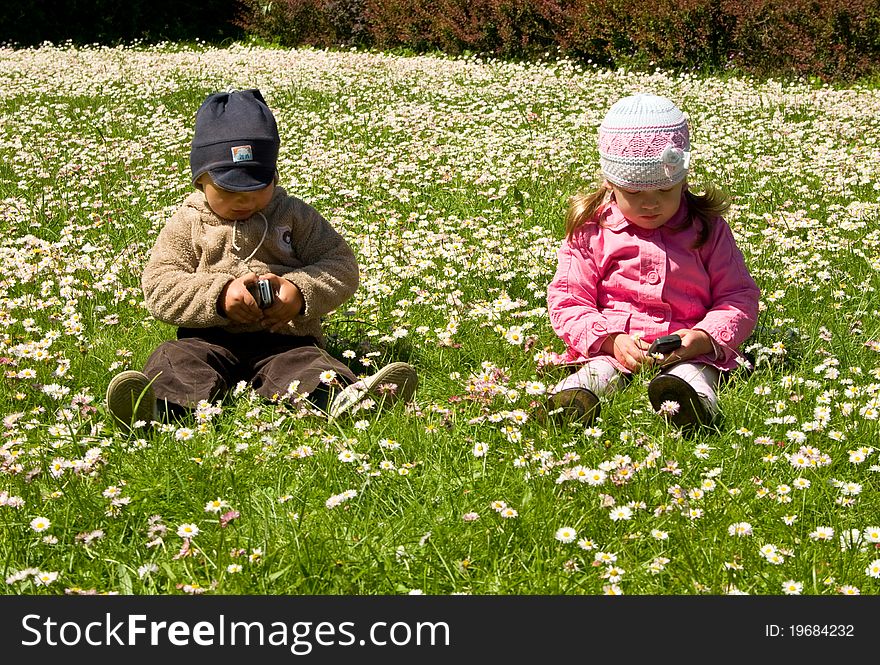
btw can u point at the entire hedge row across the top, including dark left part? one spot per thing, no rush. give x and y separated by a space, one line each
828 39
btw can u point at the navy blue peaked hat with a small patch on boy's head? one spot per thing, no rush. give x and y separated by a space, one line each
236 141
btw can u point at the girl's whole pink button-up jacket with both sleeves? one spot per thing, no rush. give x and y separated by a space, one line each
614 277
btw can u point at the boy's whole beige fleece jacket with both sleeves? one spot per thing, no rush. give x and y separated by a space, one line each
197 253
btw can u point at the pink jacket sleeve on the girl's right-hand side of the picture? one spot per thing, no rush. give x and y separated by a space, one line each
734 311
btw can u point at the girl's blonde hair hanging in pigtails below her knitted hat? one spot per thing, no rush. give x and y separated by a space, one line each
714 202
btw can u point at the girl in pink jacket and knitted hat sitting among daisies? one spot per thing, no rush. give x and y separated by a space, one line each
643 258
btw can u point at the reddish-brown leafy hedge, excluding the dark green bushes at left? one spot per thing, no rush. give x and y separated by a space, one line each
830 39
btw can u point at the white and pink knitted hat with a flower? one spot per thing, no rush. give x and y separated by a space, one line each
644 143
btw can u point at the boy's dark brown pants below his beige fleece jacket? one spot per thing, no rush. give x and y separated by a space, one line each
205 363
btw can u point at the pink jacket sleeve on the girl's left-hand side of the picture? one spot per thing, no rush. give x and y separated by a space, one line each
572 297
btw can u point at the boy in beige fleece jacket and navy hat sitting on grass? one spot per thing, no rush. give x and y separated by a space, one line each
238 229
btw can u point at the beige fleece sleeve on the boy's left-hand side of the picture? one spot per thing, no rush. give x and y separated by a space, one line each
175 293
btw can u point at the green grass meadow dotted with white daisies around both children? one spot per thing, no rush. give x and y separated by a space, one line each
449 178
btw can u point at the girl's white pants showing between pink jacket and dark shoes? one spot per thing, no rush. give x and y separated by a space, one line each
602 378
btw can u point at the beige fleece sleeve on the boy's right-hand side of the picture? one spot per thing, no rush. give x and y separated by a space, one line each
329 275
